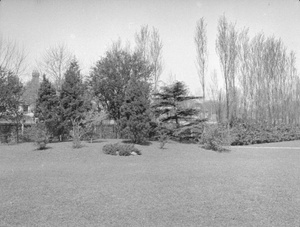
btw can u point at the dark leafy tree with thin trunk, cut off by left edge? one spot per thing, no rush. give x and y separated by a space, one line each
11 90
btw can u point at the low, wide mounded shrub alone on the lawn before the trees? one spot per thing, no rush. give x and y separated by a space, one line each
120 149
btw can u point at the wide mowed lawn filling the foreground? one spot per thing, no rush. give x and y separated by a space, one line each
182 185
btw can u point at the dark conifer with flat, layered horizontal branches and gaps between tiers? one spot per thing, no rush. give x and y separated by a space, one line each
168 104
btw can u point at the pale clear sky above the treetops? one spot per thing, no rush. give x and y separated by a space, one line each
89 27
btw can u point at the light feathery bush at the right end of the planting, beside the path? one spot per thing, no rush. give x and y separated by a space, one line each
214 137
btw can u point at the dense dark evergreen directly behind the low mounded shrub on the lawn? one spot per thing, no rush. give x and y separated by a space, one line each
135 111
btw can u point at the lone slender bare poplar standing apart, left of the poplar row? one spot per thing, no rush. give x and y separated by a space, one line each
201 49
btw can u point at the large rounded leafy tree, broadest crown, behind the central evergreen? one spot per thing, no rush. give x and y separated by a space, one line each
110 76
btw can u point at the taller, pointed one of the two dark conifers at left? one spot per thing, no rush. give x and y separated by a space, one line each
72 99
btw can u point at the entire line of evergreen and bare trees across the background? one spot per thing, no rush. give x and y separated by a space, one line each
259 74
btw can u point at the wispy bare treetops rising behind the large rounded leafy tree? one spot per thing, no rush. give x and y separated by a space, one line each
150 45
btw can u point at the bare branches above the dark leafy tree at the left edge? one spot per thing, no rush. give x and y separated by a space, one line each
12 58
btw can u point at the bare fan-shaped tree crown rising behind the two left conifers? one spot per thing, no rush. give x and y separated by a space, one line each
55 62
